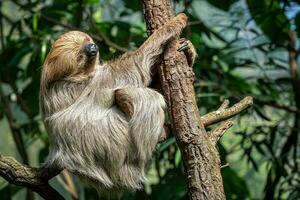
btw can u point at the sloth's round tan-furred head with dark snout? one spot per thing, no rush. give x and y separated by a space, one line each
73 55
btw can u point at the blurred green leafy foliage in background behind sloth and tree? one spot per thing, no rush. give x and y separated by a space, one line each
243 49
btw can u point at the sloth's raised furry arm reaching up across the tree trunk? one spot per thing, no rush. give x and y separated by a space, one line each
135 67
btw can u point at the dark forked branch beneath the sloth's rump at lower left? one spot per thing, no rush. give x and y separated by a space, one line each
35 179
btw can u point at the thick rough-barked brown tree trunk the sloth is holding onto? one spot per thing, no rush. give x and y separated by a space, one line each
200 156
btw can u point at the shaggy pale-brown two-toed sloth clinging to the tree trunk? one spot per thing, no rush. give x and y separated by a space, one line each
102 119
